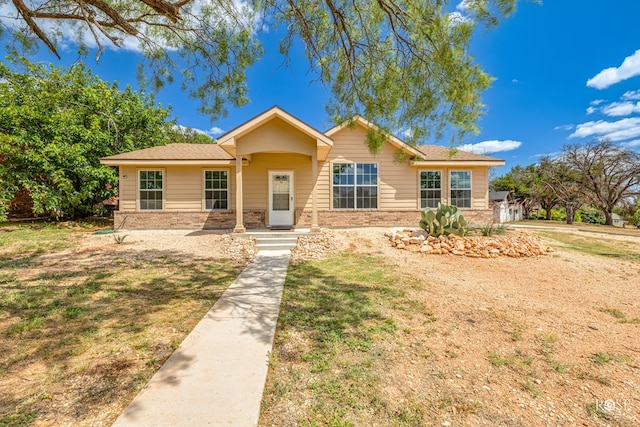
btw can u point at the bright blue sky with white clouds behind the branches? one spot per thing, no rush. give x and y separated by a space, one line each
566 71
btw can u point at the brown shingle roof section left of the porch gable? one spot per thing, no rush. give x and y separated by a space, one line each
176 152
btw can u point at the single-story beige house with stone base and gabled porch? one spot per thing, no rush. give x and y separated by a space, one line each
277 171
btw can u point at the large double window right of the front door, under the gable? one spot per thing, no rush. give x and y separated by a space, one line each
355 186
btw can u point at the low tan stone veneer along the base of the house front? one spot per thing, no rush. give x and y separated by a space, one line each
256 218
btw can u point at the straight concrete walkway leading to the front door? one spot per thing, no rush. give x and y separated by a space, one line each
217 375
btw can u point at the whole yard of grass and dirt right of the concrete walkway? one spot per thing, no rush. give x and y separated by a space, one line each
376 336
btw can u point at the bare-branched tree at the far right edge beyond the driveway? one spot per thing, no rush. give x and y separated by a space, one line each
609 173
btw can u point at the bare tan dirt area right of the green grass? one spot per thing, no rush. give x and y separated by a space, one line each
550 340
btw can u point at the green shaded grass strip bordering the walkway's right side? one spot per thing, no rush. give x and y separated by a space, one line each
340 310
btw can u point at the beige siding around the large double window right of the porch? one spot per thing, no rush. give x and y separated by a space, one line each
397 182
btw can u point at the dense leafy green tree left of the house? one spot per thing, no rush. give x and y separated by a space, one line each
55 124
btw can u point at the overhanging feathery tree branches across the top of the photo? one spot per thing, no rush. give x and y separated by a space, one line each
402 64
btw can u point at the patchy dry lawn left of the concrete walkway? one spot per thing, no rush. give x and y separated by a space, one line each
83 329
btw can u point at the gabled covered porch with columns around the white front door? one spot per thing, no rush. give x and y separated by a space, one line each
276 168
